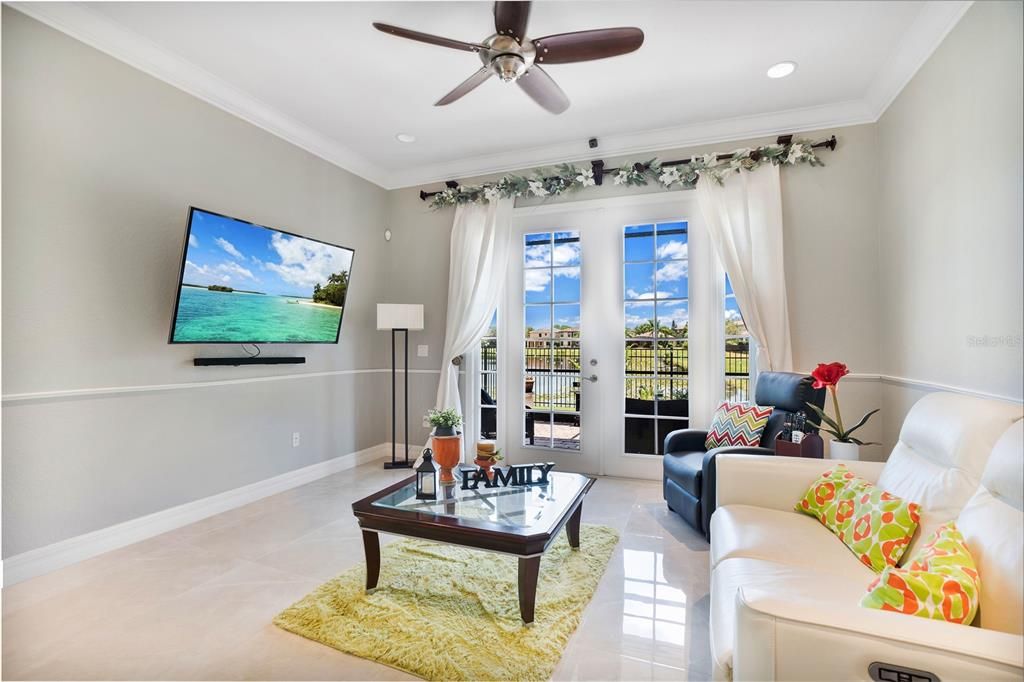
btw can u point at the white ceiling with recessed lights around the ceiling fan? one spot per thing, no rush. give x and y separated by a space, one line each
319 75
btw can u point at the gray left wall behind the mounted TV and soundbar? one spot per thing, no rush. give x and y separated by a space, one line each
101 163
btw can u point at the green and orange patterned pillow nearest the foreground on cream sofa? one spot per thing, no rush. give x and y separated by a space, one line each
941 582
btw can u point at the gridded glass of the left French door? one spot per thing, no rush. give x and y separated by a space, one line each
551 319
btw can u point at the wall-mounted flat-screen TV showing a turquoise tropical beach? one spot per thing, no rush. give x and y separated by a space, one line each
247 284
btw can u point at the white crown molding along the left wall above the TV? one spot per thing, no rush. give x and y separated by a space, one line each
92 28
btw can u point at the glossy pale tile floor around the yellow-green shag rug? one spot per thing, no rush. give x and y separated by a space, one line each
197 604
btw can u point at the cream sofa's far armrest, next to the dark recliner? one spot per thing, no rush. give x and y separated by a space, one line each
776 483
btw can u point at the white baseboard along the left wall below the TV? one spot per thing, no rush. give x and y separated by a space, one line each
52 558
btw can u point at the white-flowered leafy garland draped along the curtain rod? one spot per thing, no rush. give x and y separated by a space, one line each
568 178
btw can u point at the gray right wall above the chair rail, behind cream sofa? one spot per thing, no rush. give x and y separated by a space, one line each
951 205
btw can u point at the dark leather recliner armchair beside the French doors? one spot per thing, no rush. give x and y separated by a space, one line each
690 470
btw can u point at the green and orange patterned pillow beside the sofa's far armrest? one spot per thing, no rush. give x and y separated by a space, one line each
876 526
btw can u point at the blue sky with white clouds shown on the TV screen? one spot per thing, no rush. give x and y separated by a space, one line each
224 251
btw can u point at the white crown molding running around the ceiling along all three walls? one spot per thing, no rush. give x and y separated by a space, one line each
933 23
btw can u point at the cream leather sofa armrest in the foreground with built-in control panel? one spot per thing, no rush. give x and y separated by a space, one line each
786 637
